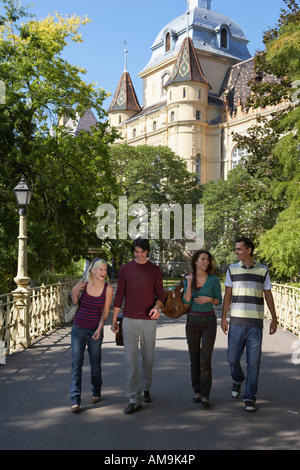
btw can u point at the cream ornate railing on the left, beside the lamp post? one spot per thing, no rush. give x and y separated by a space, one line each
31 314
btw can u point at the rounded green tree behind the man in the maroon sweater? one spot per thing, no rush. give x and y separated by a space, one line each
151 175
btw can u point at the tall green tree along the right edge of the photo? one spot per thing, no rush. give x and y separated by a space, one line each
274 146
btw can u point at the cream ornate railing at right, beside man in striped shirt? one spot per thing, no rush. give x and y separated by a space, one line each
287 304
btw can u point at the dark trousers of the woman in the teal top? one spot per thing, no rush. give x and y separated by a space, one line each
201 339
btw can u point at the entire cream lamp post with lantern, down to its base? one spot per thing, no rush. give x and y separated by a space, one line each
21 295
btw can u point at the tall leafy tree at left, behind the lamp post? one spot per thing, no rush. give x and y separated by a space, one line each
70 174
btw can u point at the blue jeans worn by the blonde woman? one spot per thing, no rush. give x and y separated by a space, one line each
80 338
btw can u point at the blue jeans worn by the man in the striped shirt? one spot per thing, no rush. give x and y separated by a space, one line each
239 338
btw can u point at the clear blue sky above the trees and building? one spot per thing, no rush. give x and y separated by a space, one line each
139 22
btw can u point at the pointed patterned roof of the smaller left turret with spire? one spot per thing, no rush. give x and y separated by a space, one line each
125 98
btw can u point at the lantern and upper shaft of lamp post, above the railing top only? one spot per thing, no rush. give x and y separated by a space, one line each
23 194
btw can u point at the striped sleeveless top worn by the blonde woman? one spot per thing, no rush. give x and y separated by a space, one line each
89 313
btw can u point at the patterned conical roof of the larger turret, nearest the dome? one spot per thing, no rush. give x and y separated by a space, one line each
187 67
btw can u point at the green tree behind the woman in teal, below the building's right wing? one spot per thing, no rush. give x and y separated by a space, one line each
237 206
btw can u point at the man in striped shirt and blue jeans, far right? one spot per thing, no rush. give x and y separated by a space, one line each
247 284
